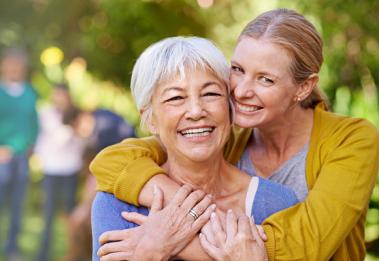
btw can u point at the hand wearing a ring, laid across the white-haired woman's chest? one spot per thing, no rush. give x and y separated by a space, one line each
173 227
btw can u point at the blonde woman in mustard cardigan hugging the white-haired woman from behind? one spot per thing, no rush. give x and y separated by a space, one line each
330 161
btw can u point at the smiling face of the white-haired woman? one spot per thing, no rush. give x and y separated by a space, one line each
191 116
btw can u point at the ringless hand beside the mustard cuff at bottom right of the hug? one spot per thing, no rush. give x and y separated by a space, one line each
240 241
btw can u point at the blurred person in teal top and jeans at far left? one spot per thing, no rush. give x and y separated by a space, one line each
18 132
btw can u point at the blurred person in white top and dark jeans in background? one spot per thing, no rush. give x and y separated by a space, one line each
60 150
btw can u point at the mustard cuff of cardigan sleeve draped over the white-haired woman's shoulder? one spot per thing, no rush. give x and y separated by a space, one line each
128 187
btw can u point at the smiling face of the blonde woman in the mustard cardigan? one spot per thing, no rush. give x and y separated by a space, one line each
261 81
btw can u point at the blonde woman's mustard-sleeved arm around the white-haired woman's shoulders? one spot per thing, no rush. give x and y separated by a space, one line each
124 169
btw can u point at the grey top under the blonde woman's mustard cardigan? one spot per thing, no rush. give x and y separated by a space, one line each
290 174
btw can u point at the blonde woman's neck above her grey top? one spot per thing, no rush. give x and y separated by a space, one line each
293 131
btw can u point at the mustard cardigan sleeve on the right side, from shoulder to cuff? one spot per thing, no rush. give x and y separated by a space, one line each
345 165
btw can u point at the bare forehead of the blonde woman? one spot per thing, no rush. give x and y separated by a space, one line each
262 54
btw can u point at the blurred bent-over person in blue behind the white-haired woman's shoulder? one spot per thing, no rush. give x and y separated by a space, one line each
101 128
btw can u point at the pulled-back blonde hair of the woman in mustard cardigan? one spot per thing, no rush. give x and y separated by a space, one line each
298 36
